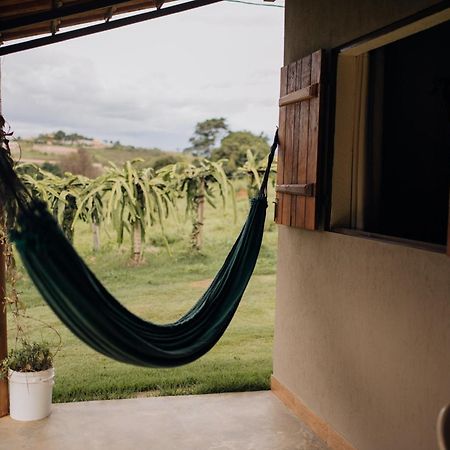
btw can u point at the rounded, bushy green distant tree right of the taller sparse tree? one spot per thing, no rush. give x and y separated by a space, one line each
234 148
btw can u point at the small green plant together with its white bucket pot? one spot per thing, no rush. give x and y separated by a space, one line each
29 368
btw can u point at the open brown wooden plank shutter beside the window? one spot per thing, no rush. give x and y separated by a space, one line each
299 133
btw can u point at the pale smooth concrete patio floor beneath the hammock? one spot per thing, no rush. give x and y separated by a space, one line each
242 421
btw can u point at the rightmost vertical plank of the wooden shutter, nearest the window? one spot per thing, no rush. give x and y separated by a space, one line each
313 142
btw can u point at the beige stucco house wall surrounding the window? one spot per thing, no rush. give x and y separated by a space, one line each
362 333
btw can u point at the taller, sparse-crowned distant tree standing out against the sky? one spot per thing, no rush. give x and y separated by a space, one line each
205 136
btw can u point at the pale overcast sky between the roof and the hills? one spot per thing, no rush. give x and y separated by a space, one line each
149 84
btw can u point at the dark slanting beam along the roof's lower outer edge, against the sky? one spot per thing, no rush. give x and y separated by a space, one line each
110 25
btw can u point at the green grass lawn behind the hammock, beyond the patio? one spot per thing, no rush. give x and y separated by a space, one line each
161 289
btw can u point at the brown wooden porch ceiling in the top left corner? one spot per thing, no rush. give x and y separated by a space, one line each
25 18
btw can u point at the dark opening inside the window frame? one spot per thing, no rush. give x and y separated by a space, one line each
406 191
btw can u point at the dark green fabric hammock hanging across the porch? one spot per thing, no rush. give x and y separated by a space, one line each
81 302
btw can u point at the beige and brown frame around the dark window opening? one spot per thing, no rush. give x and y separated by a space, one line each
351 72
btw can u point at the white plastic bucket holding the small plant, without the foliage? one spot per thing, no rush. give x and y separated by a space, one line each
30 394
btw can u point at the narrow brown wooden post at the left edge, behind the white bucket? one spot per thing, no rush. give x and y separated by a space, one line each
4 399
